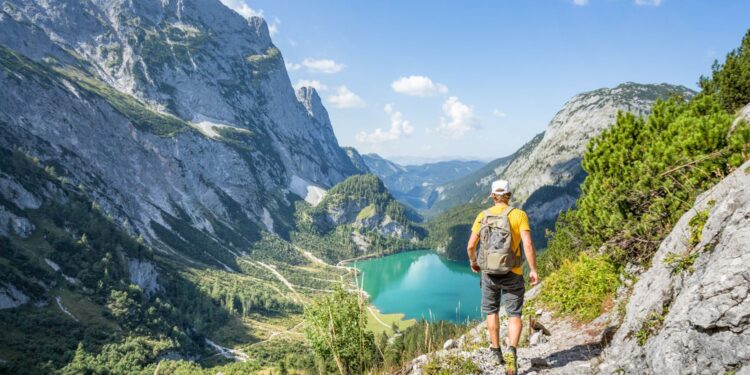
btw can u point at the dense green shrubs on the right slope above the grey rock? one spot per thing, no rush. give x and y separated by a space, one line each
643 175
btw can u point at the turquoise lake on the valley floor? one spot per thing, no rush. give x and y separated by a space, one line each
421 284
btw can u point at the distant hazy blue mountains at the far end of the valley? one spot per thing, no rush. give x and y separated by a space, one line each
415 185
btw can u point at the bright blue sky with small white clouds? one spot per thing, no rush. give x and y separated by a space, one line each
478 79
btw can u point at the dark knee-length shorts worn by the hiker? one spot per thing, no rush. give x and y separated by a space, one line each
509 287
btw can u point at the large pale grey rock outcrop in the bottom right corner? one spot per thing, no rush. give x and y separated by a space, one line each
690 312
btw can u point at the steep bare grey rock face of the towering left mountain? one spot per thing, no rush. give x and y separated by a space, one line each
176 116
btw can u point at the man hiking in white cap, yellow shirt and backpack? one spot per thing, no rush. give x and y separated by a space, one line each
501 228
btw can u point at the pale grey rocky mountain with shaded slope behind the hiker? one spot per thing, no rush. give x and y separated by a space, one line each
546 172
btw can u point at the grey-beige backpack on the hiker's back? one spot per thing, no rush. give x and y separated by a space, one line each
496 254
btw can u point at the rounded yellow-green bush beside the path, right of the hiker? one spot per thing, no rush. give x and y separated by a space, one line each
581 287
